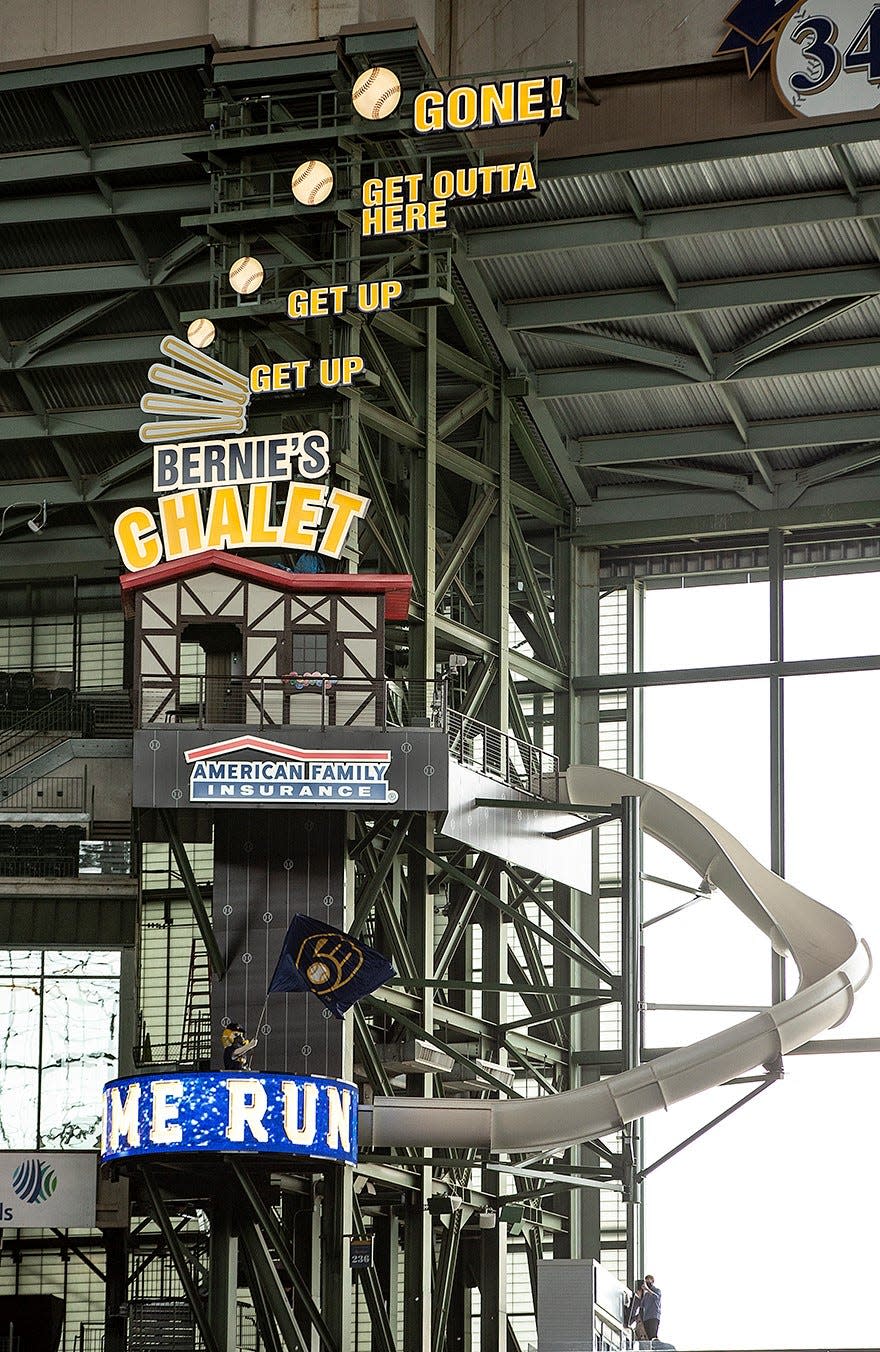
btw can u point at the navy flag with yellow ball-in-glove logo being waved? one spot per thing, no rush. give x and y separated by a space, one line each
332 965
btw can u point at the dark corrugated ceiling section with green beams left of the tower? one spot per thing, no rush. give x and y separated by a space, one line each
95 270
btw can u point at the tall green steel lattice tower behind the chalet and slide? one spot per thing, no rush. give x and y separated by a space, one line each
451 445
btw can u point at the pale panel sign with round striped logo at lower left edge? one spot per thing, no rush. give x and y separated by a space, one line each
43 1189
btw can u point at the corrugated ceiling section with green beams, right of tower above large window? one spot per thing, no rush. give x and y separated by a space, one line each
704 331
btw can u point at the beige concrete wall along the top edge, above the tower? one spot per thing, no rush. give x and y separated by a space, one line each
467 36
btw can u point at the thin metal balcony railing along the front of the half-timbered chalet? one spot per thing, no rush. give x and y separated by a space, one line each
309 700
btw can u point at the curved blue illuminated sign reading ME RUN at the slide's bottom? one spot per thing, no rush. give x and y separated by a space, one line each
216 1111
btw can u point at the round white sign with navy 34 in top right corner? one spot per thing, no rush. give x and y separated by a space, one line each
827 59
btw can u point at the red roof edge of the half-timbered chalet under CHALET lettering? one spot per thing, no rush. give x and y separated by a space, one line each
395 587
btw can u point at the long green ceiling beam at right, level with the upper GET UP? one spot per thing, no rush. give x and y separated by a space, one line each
694 297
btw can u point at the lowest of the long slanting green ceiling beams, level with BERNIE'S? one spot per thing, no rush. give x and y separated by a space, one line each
682 444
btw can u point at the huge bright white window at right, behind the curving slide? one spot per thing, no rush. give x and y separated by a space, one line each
743 1205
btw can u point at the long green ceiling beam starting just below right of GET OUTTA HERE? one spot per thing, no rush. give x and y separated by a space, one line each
660 226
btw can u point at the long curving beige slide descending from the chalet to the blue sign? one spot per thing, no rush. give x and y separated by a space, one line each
833 965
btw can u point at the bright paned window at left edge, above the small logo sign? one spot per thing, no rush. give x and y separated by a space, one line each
60 1020
